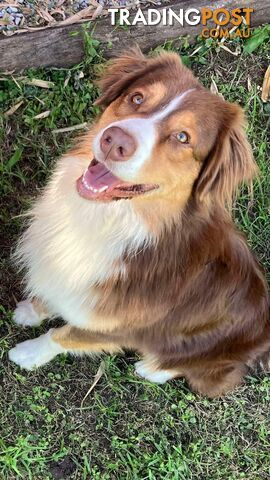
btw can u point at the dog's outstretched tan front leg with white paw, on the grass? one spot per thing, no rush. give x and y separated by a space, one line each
34 353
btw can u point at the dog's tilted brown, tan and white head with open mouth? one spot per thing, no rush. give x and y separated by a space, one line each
163 135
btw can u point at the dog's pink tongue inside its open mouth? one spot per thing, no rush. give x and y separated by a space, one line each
99 177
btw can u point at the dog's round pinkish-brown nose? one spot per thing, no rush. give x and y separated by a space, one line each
117 145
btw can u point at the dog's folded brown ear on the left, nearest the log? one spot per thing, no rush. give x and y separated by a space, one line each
118 74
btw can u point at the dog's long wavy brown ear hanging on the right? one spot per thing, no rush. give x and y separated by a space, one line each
230 161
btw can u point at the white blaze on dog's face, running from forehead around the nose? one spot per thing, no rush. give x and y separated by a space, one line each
144 130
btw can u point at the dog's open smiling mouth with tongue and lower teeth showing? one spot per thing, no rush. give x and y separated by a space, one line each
99 183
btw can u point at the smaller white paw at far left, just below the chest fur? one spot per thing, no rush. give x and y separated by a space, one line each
30 313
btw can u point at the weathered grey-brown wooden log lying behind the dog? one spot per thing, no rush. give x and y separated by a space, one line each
59 47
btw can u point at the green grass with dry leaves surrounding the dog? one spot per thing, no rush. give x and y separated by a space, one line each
126 428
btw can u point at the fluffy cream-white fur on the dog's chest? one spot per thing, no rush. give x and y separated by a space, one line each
73 244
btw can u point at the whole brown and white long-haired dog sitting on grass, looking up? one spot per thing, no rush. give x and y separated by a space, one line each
131 243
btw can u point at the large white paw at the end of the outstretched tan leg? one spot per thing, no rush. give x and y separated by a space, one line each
34 353
